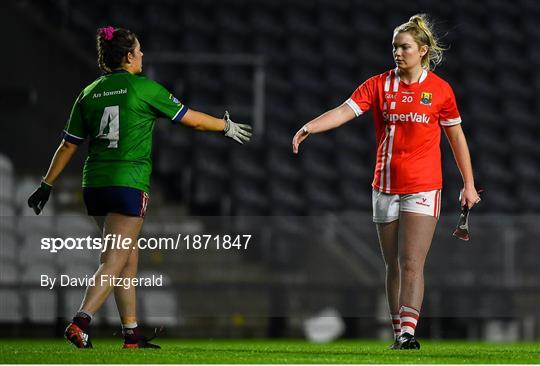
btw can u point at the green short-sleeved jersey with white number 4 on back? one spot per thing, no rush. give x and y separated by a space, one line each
117 113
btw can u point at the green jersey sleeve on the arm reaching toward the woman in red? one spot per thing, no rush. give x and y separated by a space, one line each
161 101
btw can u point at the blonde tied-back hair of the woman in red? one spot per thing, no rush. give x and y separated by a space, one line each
421 30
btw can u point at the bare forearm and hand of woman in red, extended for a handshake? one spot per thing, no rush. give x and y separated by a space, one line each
326 121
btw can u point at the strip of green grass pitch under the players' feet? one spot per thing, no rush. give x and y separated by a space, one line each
266 352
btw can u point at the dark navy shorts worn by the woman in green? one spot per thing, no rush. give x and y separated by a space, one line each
123 200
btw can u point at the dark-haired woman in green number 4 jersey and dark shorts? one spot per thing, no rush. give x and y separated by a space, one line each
116 113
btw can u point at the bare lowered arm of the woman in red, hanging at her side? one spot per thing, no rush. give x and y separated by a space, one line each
458 143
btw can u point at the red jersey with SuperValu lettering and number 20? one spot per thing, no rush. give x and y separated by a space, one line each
407 123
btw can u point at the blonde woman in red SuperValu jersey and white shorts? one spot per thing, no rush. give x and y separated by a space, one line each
410 105
